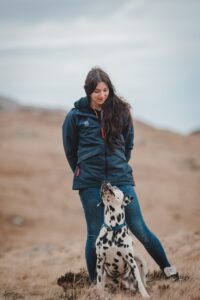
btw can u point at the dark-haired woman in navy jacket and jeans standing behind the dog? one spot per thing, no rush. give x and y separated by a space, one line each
98 138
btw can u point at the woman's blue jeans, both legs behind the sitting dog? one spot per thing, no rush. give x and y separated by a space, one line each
94 216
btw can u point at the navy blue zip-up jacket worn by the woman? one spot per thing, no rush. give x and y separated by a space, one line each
87 152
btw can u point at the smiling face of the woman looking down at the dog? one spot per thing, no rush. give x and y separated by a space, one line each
100 94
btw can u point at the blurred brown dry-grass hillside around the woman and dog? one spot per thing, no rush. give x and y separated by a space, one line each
41 219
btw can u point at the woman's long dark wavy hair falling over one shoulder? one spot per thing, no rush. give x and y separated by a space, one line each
116 110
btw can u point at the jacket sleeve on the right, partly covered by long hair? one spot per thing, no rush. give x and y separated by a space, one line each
128 134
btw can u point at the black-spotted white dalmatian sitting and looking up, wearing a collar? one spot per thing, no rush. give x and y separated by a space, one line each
114 246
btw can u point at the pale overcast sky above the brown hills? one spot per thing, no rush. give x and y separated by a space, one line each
150 48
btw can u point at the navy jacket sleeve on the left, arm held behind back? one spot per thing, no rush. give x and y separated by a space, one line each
70 139
